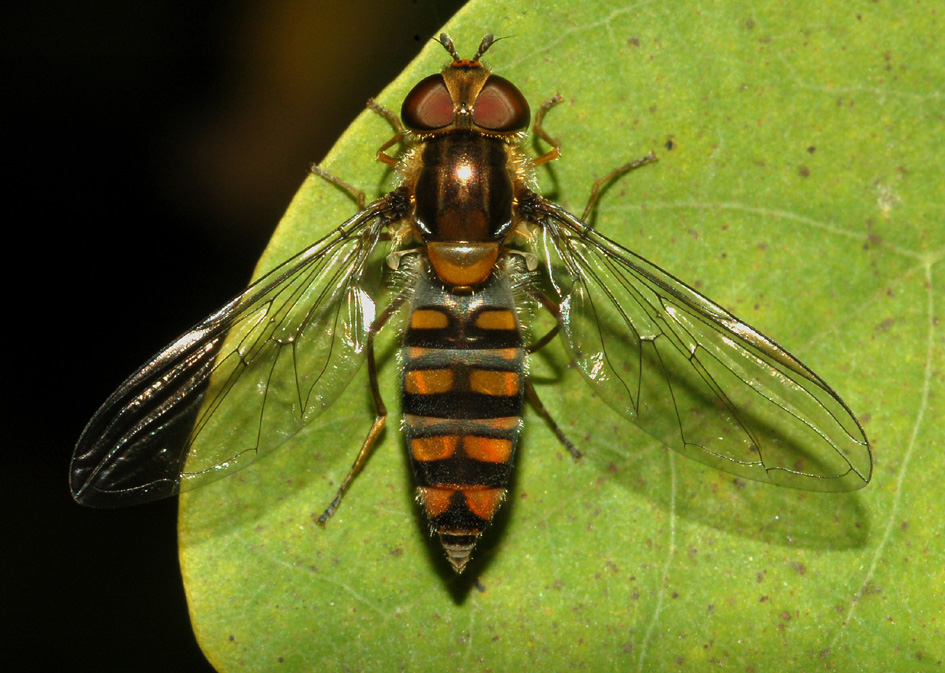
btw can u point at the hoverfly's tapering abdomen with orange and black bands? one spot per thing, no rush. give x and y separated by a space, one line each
463 383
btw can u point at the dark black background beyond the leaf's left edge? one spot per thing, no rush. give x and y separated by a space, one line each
151 148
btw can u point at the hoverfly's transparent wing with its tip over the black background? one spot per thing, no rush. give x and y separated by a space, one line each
243 381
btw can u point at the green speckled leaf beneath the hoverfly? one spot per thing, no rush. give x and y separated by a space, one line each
803 191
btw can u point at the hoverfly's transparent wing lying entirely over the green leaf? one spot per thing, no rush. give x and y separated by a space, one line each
690 373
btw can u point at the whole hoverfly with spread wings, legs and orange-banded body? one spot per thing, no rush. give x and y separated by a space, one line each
472 255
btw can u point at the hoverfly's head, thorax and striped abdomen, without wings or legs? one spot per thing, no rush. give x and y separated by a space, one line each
463 354
